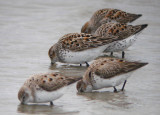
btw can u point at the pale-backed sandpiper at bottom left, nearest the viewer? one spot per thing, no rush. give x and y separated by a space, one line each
43 88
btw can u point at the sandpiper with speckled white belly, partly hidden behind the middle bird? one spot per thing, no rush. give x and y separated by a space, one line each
121 30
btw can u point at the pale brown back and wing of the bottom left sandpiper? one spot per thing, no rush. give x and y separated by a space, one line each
49 81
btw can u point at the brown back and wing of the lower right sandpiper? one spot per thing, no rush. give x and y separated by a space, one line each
110 67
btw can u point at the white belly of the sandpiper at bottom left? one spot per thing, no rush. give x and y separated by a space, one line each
43 96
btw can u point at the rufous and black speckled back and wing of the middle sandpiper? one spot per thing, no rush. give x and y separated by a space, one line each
82 41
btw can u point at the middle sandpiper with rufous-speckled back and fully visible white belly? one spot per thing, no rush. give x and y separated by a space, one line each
79 48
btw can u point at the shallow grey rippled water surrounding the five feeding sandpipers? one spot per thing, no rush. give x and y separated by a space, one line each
27 30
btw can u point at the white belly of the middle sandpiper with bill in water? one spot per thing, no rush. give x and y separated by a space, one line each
84 56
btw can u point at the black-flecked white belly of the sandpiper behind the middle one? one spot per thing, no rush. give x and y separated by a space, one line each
121 45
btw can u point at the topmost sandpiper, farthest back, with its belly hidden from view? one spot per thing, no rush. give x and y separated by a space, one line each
103 16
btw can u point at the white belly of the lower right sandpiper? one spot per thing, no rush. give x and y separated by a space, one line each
100 83
